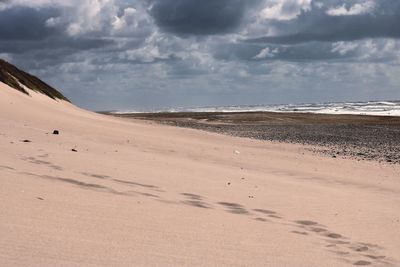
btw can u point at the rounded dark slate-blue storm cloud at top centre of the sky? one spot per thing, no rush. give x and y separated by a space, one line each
198 17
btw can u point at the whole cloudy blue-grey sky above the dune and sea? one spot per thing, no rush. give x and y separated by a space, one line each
145 54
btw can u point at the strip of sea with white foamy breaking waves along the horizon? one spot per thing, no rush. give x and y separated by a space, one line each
376 108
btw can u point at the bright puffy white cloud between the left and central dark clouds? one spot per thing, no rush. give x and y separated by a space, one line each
81 17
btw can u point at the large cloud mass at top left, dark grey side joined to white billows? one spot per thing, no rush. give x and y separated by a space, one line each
67 27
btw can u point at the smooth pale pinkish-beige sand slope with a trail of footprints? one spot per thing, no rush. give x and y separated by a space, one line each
141 194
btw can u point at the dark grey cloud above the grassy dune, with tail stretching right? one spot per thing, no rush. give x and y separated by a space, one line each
23 30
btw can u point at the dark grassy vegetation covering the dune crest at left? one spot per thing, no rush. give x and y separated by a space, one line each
14 77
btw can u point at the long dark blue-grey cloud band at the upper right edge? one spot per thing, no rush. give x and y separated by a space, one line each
318 25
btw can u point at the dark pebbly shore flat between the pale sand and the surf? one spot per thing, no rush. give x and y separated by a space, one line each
361 137
